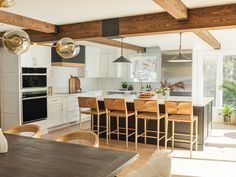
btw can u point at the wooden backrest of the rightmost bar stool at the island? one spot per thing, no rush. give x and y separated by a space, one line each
179 107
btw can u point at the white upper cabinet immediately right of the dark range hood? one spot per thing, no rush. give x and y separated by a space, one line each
92 69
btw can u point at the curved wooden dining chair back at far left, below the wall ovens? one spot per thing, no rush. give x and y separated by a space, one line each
25 129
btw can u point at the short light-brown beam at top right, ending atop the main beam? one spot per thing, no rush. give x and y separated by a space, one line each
175 8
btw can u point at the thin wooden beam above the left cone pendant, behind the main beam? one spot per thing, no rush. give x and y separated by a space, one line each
110 42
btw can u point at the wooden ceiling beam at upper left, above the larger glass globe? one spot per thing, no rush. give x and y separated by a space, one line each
26 22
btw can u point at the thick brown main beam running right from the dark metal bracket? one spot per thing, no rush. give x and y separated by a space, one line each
207 18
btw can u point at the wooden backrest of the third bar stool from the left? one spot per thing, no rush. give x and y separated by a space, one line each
141 105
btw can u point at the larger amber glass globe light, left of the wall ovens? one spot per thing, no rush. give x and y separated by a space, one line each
16 41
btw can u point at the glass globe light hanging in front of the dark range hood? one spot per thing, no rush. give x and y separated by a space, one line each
67 48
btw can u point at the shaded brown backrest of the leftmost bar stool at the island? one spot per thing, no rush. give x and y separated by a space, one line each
88 102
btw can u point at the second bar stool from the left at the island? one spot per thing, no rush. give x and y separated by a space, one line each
116 107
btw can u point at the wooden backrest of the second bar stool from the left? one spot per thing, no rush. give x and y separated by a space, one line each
115 104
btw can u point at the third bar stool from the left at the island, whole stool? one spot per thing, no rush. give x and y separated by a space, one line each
148 110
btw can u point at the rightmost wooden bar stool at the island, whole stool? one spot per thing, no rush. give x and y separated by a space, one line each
181 111
